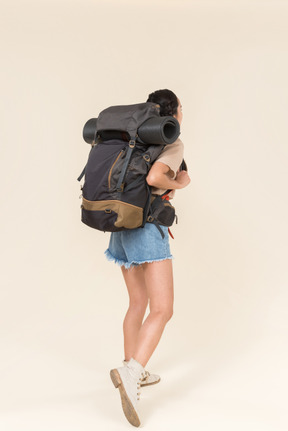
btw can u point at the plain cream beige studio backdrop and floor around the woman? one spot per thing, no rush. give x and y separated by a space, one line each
223 357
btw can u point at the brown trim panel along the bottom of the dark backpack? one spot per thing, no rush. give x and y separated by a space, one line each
129 216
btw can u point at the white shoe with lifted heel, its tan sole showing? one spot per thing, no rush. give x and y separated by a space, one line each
128 379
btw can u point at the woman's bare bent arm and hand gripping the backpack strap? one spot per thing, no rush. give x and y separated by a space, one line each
161 176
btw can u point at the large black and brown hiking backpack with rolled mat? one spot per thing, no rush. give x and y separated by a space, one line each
125 140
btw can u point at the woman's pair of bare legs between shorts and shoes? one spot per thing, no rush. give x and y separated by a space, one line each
154 281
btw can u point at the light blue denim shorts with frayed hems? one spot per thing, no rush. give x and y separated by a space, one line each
136 246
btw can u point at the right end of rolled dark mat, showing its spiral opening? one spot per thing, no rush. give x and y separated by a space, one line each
159 130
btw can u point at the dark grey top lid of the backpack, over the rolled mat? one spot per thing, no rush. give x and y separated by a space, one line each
127 118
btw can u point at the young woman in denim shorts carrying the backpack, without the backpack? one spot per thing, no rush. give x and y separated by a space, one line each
146 265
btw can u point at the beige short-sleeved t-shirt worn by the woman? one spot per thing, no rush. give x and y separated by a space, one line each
172 156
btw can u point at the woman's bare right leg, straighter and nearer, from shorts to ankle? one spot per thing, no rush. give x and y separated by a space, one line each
158 278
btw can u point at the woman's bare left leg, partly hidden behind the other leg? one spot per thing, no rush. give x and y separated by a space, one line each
138 300
